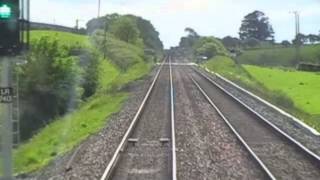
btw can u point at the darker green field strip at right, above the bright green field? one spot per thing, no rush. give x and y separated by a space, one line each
280 56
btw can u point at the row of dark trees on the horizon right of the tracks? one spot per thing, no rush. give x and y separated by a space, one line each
255 31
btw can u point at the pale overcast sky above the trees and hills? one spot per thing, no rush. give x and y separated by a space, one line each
170 17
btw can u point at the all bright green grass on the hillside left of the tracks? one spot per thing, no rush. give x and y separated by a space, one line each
67 132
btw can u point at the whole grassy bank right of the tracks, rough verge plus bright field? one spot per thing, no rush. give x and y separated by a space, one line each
293 91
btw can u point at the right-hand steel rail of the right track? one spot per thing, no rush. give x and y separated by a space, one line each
313 155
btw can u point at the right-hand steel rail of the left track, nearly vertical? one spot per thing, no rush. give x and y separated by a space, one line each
173 136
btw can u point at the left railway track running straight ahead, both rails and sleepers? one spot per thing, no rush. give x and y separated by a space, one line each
113 165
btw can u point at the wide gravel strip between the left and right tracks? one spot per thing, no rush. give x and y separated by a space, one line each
206 147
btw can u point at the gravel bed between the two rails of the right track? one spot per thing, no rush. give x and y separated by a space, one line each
284 159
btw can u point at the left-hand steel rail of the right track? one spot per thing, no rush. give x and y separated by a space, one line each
235 132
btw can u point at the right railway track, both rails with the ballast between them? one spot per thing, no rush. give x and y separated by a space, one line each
278 154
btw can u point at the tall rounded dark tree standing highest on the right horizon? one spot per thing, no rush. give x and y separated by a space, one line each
256 25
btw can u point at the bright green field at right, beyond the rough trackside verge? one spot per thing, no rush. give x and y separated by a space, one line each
302 87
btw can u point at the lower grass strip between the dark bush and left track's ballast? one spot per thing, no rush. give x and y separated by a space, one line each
65 133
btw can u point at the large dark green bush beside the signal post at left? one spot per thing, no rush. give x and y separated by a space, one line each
49 84
